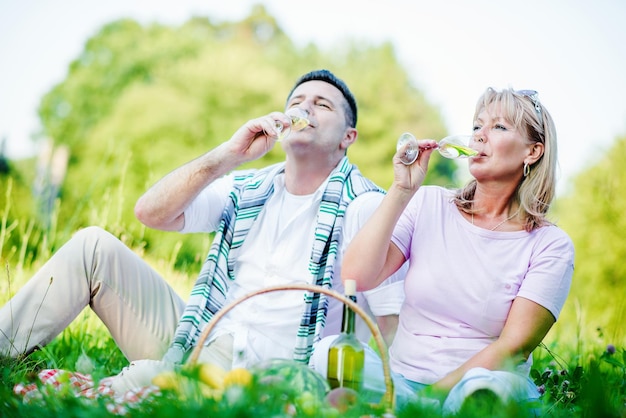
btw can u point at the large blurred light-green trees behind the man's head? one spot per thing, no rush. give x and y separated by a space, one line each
141 100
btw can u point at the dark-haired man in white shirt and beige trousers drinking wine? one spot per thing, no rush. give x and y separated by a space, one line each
286 223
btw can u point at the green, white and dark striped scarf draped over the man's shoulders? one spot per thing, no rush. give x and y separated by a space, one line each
250 192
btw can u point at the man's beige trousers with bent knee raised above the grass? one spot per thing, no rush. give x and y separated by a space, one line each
93 269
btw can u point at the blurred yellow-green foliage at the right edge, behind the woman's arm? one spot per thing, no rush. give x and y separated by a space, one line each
593 216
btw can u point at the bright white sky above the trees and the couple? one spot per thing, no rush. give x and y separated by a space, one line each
572 51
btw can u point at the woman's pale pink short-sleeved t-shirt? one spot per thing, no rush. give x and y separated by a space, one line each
462 280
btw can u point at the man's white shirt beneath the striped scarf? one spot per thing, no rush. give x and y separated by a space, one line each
276 251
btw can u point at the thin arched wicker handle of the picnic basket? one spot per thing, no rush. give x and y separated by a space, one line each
388 398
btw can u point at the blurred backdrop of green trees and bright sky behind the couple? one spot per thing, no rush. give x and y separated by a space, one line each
100 99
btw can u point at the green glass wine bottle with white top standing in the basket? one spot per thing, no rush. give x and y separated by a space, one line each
346 356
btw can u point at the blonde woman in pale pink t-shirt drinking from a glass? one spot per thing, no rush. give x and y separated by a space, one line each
488 273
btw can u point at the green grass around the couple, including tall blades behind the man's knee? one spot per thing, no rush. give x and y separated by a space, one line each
580 376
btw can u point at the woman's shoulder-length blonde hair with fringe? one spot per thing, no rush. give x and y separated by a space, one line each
536 190
